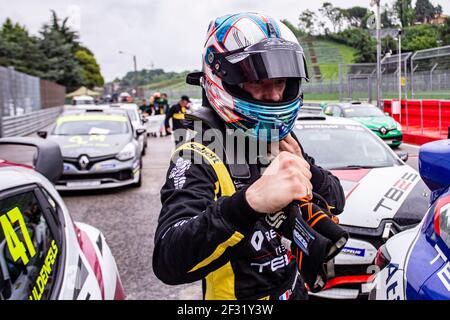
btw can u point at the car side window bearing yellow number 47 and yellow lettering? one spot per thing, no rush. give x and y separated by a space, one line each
29 251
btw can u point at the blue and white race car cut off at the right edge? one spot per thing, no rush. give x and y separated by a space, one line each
415 264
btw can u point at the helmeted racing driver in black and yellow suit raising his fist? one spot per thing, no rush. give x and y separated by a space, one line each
220 217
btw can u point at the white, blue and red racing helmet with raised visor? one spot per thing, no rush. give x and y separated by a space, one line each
249 47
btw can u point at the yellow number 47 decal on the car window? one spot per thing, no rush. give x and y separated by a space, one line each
15 246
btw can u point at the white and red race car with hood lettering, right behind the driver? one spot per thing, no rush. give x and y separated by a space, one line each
384 196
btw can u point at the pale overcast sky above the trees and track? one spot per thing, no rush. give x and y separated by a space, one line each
167 34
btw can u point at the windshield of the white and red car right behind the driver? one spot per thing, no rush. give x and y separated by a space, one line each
344 146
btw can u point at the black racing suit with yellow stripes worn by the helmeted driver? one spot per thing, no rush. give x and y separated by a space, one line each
224 241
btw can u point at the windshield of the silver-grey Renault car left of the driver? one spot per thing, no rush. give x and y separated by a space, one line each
91 125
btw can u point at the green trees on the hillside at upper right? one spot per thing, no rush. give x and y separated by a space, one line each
353 26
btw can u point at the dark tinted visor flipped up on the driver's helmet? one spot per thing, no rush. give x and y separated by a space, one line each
272 58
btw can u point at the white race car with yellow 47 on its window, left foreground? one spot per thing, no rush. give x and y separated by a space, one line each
44 254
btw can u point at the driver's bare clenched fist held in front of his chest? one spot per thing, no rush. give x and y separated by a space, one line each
286 179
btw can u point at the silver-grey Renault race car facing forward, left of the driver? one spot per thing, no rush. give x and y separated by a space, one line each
99 147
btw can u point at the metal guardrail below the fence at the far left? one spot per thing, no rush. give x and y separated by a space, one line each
29 122
